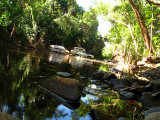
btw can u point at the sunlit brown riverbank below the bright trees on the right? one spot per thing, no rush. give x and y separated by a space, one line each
150 64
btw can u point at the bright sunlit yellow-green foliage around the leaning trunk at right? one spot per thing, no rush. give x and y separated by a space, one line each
125 32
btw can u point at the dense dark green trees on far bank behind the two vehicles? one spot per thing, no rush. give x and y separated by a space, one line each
41 23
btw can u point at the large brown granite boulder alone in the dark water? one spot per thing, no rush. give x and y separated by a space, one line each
67 88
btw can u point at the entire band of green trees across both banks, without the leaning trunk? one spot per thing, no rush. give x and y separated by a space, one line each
41 23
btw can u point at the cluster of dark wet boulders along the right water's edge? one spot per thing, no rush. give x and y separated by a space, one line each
146 92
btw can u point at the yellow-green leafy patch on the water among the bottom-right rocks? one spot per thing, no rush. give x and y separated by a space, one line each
117 108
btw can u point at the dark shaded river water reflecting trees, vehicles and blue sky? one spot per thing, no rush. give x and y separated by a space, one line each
20 94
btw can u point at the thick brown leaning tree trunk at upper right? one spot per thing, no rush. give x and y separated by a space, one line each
144 30
